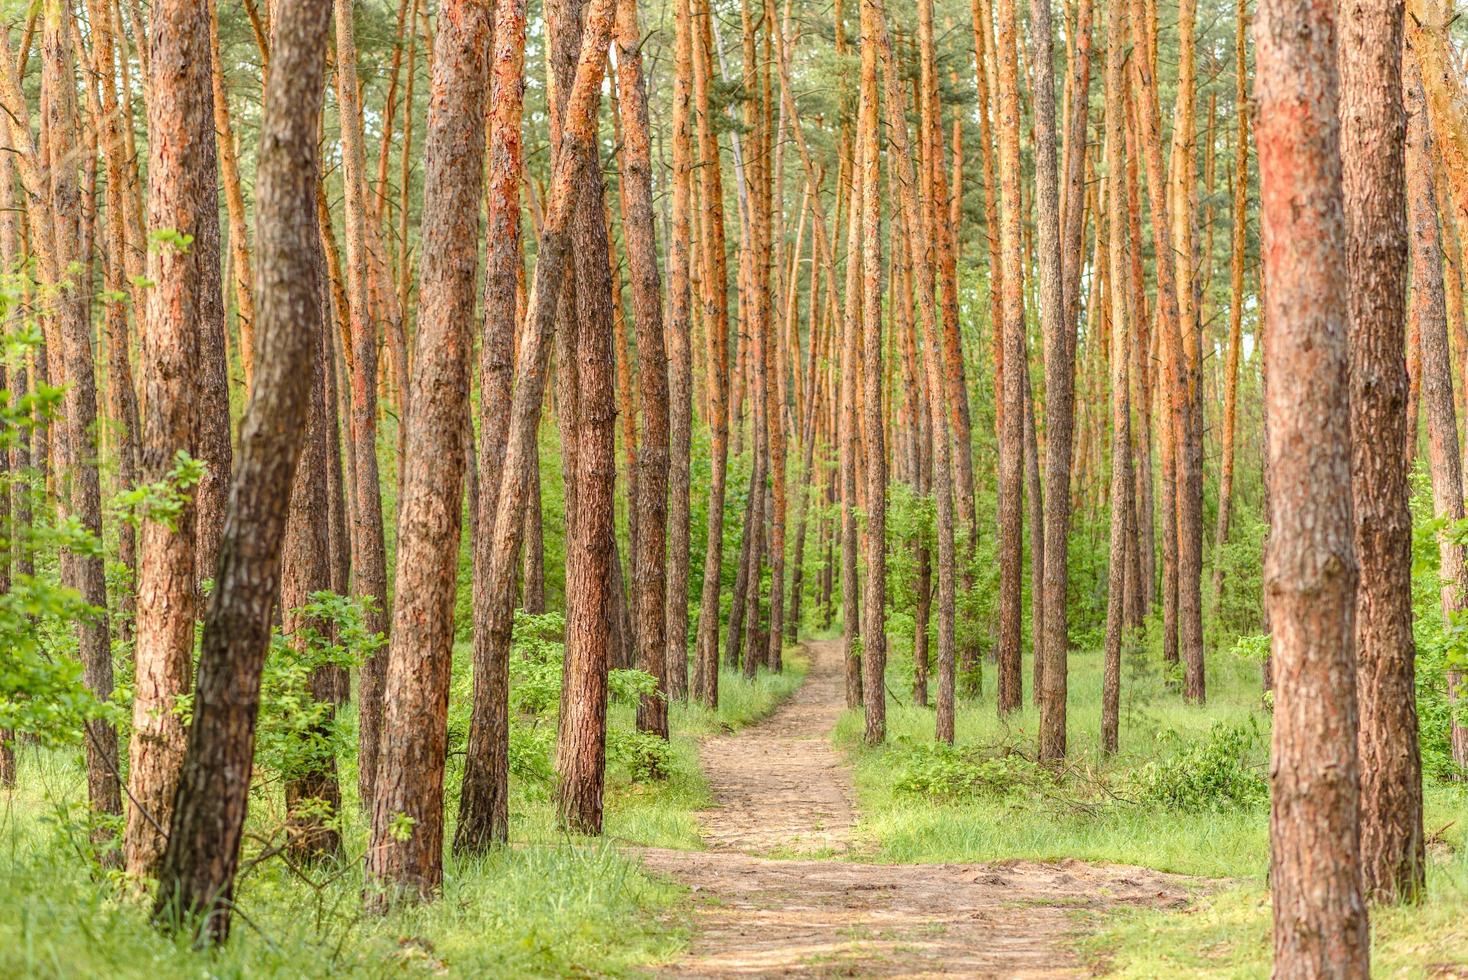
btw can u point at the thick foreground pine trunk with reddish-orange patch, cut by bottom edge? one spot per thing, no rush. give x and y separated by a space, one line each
1310 576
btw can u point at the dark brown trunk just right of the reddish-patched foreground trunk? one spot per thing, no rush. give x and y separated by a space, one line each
1373 190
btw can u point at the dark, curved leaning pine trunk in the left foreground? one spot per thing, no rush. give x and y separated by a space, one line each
209 813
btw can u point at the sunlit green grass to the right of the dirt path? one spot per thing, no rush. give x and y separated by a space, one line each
1227 932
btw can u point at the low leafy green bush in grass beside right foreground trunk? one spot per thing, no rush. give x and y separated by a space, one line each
1209 775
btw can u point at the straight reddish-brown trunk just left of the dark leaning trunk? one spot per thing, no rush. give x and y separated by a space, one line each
181 190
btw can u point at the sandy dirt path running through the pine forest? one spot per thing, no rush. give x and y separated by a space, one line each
783 789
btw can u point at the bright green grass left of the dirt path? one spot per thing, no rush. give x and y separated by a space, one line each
547 906
